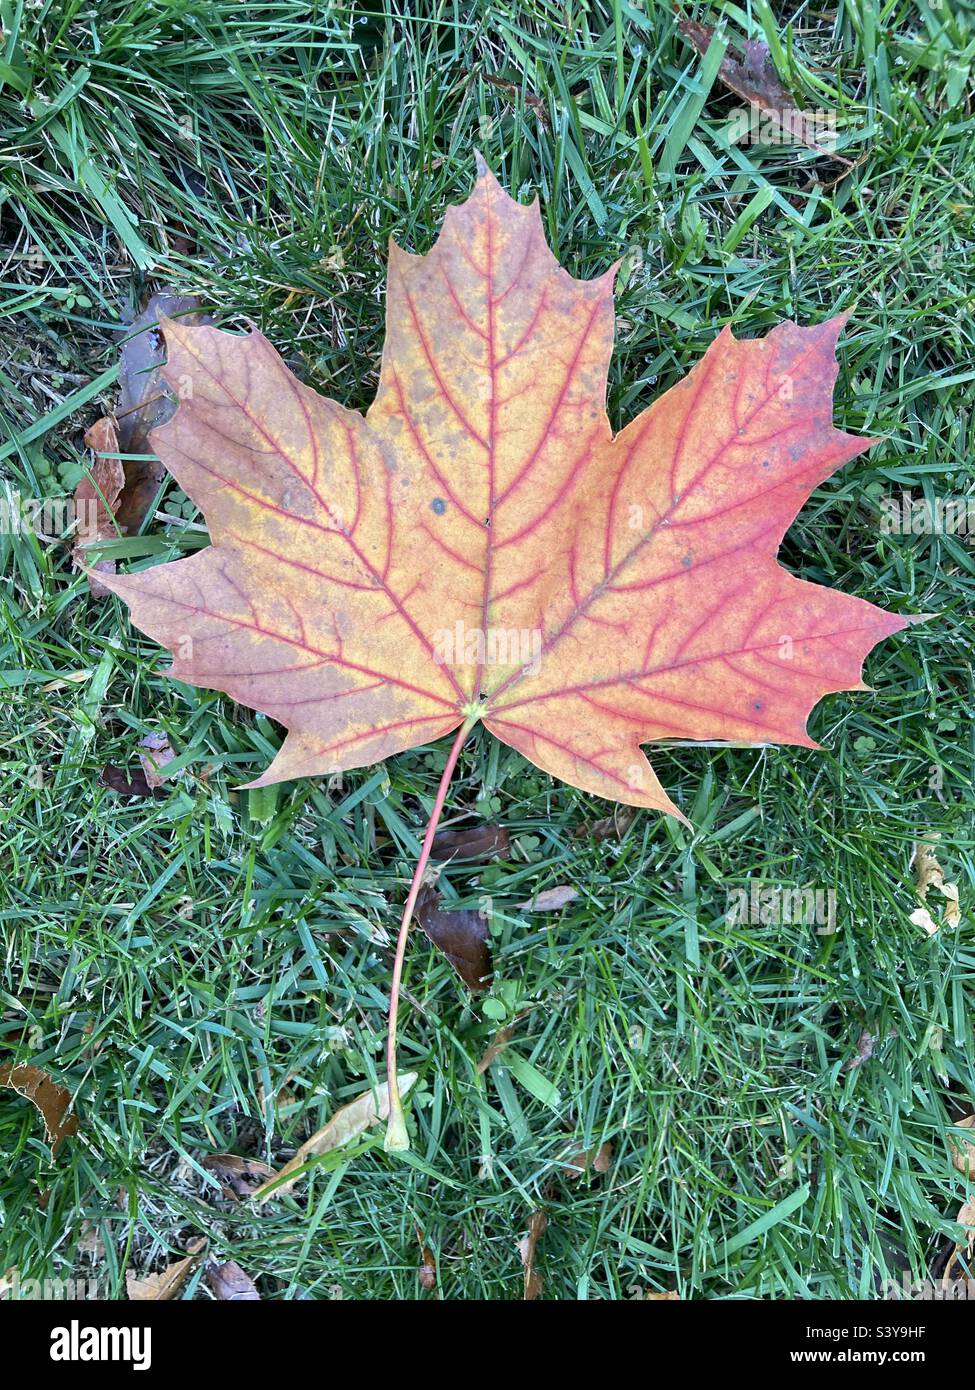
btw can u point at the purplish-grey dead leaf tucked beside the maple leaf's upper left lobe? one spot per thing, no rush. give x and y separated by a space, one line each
145 401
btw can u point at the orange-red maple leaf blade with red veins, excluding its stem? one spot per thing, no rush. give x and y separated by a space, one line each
482 547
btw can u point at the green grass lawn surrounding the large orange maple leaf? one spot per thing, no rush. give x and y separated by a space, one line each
208 972
